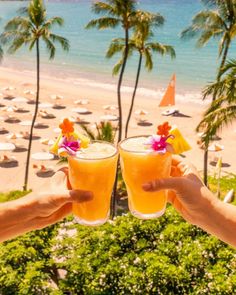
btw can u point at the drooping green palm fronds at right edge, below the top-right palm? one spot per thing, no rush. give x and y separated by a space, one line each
223 110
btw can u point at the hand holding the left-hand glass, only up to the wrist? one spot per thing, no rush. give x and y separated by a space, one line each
45 208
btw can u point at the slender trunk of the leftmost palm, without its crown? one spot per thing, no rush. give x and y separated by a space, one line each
34 118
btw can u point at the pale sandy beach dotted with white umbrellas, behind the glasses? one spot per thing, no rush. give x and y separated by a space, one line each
190 114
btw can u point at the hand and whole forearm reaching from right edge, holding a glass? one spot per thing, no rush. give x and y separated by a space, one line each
196 203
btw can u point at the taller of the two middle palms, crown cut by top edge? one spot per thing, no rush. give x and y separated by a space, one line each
116 13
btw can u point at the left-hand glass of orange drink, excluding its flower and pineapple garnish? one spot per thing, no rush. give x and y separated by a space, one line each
94 169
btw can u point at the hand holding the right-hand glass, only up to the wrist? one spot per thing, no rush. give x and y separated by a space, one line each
186 192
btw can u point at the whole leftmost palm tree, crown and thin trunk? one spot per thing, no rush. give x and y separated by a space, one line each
29 29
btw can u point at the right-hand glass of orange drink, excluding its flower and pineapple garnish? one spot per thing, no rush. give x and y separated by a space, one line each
139 165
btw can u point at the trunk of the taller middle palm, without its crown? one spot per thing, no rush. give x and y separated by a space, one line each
120 83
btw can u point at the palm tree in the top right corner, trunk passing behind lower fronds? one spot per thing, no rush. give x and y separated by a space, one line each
218 21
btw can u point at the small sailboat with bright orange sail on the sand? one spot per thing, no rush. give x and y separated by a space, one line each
169 98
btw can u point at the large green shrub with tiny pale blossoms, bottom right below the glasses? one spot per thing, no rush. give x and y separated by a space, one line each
163 256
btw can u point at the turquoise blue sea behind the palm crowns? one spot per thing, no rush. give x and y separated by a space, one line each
86 60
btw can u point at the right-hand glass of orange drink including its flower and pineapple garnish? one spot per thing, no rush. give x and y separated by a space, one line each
146 158
